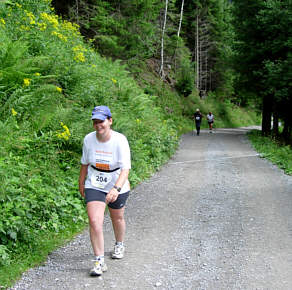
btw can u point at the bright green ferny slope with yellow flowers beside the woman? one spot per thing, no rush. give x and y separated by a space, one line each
50 81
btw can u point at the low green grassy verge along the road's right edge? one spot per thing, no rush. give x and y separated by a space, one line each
271 149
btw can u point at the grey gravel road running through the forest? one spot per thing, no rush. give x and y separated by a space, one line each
216 216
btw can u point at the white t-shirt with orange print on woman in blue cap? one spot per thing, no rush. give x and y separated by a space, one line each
109 155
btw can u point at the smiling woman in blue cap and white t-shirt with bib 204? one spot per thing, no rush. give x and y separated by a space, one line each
103 180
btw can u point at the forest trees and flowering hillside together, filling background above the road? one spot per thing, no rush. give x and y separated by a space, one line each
153 63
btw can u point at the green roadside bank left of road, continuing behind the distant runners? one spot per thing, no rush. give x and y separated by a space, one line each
50 79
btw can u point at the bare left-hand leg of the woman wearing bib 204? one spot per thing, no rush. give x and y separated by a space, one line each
95 211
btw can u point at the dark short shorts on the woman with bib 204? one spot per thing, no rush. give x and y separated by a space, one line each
97 195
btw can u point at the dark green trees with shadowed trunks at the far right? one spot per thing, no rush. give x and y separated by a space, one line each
263 56
